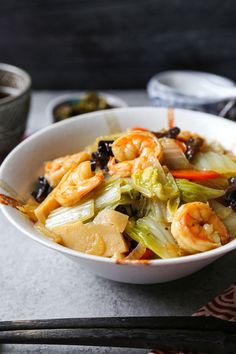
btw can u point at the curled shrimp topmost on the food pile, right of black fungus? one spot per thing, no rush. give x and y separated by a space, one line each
134 150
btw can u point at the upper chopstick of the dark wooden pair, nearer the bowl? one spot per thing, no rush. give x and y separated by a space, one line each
161 322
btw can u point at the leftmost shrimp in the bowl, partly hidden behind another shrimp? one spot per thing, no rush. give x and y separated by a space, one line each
56 169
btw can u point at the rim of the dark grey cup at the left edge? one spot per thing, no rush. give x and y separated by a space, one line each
21 72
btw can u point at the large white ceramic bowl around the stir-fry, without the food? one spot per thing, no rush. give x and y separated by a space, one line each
24 164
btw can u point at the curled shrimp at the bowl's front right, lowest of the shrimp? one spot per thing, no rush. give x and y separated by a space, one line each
197 228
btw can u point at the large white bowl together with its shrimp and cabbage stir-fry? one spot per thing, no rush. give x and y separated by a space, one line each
138 195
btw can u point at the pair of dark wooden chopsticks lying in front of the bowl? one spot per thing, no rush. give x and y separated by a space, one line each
195 334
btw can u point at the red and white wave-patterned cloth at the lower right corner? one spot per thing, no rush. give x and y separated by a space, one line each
222 306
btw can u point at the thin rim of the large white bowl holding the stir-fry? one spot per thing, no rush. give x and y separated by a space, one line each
217 252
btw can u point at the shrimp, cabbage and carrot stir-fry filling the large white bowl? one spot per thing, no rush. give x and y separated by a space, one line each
138 195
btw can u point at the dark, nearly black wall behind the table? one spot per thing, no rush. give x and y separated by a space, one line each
111 44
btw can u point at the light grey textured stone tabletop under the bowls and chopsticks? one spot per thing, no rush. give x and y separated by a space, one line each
36 282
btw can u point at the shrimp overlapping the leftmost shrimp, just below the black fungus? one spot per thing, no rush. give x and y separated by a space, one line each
77 183
